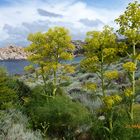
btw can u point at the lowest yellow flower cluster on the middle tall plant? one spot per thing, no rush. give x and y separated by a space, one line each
111 100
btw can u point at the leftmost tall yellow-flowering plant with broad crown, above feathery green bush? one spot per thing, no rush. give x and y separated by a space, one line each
48 50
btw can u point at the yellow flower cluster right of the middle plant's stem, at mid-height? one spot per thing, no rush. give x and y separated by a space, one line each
111 74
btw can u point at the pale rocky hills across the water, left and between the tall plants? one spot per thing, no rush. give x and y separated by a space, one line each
18 53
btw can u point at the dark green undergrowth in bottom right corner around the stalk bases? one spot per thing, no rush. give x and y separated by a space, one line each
123 129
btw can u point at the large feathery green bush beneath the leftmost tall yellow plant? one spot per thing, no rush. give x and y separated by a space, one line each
59 114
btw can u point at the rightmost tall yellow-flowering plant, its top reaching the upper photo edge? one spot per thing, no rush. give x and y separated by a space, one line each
129 23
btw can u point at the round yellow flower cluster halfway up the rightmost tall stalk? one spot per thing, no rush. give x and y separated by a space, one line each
130 66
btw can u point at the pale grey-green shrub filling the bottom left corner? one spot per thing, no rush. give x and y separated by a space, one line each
13 126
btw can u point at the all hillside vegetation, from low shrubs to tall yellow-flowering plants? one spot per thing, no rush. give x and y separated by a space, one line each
96 99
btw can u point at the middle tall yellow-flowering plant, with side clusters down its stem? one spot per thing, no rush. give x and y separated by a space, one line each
101 50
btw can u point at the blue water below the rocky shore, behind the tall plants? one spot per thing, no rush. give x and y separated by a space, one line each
17 66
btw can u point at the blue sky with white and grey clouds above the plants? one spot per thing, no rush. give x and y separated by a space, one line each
18 18
